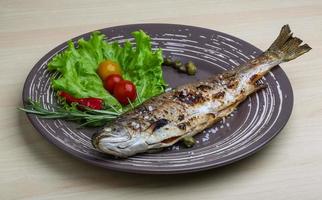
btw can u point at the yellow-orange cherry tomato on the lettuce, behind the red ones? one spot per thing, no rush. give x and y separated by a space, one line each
108 67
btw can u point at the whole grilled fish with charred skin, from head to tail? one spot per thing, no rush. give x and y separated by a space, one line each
187 110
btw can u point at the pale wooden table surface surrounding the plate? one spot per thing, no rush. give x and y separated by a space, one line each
290 167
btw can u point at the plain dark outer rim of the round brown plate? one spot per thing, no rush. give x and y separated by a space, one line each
138 170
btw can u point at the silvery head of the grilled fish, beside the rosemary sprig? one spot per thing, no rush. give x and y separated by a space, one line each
119 141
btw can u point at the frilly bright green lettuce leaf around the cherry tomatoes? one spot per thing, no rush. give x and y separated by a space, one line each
78 65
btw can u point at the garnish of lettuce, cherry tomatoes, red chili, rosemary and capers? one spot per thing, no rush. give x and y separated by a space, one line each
98 80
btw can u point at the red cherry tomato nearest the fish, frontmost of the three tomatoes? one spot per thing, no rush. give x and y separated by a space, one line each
124 91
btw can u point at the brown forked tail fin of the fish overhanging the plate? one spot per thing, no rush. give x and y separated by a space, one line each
287 47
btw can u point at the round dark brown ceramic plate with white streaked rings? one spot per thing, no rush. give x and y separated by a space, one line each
256 121
